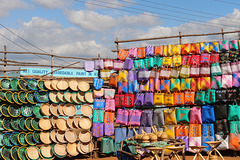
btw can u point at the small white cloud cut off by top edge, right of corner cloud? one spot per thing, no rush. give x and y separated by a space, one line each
51 4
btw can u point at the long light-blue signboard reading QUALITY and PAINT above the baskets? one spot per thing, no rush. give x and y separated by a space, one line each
60 73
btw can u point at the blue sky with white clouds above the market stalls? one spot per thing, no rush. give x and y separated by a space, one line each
78 28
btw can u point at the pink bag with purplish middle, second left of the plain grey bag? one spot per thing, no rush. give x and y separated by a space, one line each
134 117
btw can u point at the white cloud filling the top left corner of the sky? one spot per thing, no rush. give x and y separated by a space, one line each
7 5
